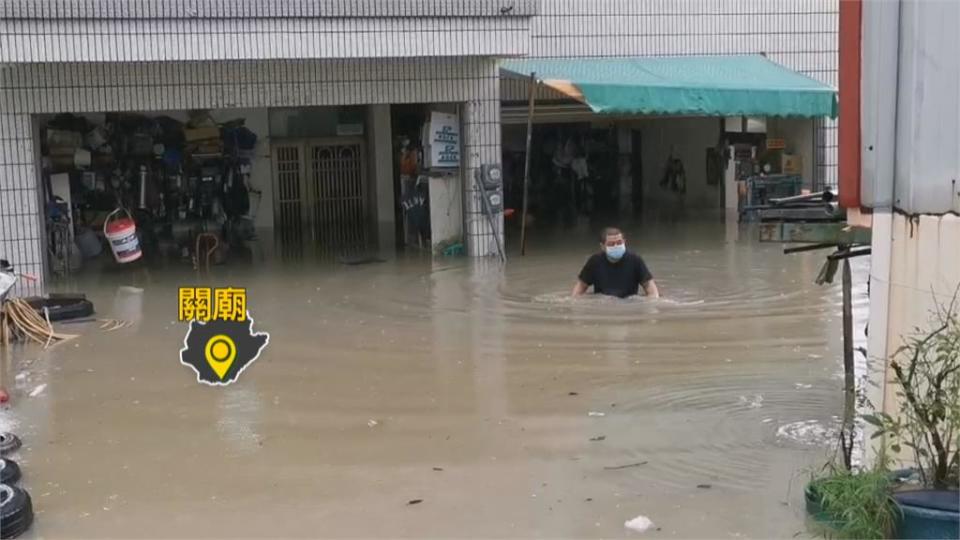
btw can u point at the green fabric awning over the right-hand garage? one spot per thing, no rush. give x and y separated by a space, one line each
748 85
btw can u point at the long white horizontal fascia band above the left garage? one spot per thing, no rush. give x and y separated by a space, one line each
157 40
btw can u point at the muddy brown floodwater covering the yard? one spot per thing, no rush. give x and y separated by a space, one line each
453 382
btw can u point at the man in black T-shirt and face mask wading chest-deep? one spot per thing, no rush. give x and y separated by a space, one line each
615 271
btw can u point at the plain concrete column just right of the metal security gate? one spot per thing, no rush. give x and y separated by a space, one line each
381 175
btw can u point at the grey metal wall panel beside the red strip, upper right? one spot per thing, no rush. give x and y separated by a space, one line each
911 137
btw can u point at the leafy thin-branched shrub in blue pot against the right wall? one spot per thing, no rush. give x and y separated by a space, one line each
926 373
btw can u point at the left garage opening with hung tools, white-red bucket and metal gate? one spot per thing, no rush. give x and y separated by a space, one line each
205 187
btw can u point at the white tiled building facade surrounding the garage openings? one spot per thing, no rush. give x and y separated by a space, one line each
111 55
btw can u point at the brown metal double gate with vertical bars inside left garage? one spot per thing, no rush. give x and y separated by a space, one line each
320 191
